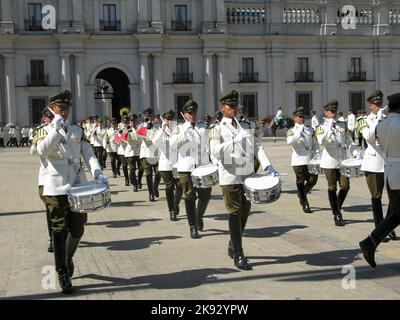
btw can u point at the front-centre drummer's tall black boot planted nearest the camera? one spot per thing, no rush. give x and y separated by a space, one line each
235 231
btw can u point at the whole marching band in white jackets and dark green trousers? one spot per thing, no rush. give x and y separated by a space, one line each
193 156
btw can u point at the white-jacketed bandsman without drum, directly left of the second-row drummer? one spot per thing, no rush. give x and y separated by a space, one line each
168 157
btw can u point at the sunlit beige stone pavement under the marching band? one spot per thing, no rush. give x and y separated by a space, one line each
132 251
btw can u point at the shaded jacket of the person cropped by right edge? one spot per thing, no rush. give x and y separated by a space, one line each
388 133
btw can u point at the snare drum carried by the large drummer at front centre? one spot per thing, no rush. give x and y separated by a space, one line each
260 188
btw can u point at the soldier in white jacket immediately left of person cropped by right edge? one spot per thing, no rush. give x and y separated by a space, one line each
373 162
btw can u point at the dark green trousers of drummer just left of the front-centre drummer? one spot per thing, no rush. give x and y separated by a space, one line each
189 194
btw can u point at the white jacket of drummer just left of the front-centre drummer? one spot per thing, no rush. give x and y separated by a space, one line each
191 144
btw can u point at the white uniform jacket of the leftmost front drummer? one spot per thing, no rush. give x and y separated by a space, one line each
63 152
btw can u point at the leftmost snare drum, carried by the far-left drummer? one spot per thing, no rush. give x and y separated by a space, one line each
89 196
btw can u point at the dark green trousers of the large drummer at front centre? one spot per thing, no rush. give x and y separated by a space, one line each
239 209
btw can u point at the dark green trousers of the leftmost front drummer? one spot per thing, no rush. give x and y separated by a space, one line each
63 221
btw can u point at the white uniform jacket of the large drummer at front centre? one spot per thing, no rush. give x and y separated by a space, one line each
235 161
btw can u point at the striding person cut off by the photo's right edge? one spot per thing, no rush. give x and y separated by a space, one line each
388 133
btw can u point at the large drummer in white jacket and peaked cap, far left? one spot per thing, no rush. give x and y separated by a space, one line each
62 144
